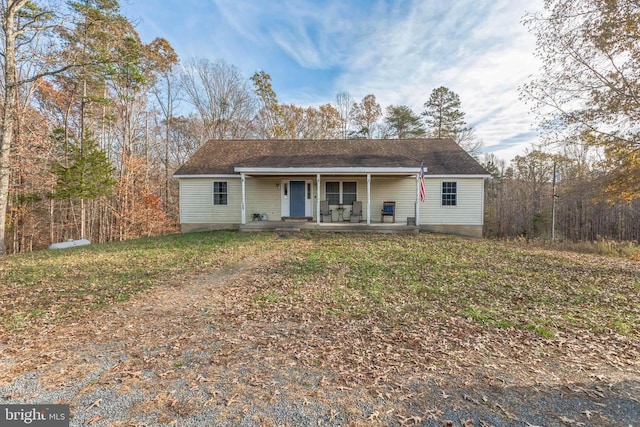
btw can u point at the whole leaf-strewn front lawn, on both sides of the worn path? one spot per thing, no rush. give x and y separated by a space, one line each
390 278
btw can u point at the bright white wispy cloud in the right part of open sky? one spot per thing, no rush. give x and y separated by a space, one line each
477 49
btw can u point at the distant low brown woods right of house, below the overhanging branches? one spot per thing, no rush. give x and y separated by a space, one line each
520 199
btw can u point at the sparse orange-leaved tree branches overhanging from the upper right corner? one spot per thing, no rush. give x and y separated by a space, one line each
587 88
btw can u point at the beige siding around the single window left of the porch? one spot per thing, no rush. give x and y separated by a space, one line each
196 202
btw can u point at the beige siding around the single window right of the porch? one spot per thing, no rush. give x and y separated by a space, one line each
469 208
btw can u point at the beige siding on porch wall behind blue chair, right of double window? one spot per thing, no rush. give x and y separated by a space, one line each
401 190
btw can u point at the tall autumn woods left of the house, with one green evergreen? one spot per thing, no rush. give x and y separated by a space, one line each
77 155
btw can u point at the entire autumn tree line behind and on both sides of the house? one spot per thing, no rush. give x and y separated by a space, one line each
95 121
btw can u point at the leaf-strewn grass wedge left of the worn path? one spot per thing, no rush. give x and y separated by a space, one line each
61 284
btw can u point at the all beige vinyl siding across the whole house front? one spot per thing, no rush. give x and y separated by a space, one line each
263 195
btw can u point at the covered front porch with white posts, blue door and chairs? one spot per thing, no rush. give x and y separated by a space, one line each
283 195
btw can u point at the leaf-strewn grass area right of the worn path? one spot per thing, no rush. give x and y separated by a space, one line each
495 284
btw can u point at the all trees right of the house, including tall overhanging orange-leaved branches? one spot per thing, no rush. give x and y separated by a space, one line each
586 100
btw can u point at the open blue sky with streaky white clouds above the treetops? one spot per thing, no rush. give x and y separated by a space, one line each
397 50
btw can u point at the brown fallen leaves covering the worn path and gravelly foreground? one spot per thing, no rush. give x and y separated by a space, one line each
284 320
